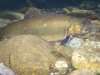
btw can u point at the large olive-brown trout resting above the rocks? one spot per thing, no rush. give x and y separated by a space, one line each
50 27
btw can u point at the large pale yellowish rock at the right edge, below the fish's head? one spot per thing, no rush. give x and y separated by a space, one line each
87 56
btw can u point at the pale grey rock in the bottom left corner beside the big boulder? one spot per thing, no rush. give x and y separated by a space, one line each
5 70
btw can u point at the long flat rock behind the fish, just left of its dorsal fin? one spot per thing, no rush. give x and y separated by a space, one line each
12 16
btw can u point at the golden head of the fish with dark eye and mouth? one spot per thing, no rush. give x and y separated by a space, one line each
79 26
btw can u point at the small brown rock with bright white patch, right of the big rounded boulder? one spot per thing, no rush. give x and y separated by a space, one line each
60 67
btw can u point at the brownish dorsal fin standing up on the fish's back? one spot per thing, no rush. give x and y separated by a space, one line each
31 12
